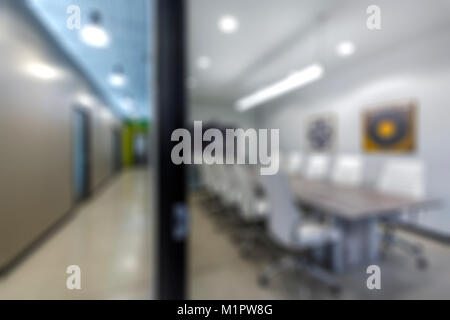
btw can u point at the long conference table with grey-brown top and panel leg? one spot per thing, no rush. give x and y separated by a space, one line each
357 213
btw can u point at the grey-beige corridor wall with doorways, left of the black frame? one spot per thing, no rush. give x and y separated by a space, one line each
36 134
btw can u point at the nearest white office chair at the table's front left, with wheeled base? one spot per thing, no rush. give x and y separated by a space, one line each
297 238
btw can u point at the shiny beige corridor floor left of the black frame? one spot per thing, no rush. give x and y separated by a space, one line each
108 238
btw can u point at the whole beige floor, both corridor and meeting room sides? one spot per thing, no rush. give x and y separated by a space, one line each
110 238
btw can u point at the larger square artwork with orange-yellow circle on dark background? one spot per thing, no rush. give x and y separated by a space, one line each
390 128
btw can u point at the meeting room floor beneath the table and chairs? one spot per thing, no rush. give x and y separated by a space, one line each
218 271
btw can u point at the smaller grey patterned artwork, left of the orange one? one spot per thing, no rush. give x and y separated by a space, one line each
321 133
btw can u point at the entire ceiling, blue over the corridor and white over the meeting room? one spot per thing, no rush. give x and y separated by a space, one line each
275 38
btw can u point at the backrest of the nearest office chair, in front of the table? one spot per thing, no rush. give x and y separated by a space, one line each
284 216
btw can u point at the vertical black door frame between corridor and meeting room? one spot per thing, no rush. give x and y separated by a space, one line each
172 215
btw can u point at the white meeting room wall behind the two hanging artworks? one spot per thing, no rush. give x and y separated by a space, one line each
419 70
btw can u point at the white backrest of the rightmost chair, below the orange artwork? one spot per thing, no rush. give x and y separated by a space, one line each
403 177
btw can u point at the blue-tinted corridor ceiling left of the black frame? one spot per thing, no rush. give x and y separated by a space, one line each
127 24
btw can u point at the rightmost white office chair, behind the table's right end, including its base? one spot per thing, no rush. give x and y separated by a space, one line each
403 178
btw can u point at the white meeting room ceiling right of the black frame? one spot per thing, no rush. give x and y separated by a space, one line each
277 37
